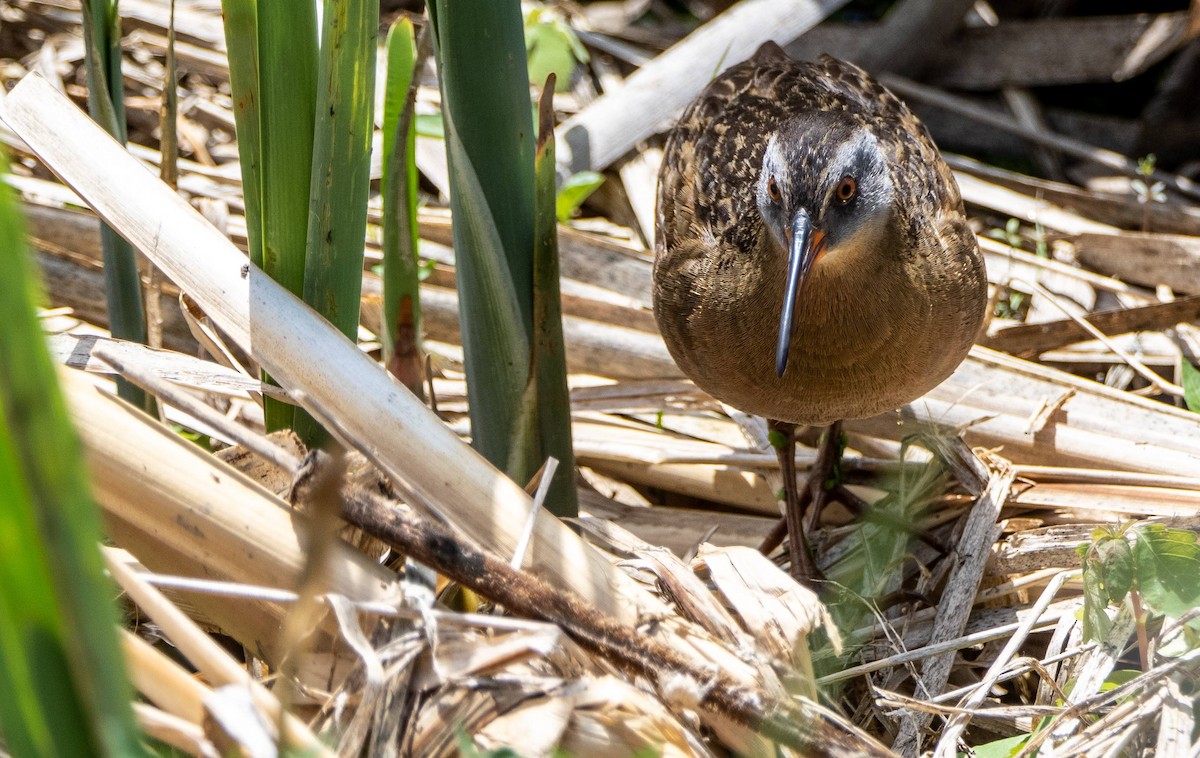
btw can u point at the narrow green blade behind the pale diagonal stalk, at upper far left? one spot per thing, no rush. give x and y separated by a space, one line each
123 281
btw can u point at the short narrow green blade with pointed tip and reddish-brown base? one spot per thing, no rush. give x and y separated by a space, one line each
401 297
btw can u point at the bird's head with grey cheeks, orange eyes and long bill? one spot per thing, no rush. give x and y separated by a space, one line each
825 191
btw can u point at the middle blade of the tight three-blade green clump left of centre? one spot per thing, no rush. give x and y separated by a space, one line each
287 80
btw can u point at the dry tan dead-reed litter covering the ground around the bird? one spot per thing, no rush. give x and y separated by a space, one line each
1011 563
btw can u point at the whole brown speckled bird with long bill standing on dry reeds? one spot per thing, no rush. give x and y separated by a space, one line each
813 260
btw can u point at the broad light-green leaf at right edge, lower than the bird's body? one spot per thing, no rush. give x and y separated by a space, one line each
1168 564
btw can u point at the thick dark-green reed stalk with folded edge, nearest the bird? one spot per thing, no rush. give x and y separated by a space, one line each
490 145
